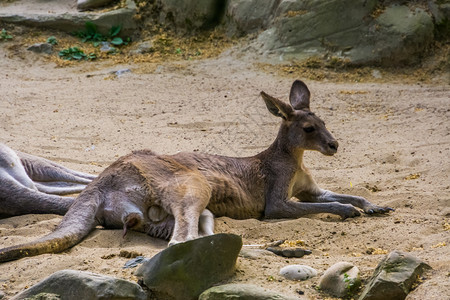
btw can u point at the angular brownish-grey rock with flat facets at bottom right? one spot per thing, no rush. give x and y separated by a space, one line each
393 277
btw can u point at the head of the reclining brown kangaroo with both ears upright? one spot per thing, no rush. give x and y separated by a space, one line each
301 129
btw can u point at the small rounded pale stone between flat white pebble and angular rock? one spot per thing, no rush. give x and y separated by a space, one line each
340 280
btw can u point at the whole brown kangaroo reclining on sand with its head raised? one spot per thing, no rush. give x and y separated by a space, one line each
177 196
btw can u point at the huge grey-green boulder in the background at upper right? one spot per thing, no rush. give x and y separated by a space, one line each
349 29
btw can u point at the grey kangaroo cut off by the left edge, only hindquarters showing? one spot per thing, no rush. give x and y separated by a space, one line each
29 184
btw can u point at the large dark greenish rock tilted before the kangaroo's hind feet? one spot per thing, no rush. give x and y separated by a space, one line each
185 270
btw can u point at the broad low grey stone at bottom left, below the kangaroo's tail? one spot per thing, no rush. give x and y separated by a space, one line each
76 285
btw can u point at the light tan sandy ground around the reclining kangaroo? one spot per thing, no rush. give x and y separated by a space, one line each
394 150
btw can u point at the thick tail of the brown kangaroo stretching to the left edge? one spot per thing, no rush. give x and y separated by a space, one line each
77 224
